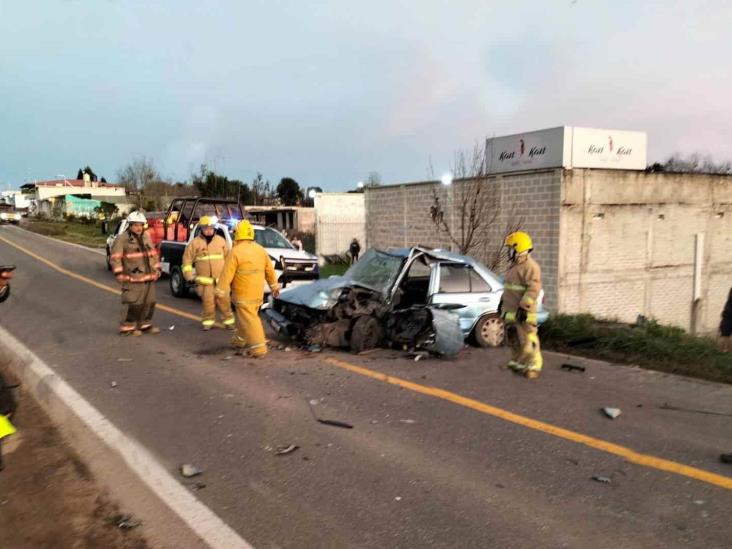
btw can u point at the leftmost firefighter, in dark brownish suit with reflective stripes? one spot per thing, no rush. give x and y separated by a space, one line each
136 265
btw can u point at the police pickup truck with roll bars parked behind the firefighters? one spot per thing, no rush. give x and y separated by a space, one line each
172 233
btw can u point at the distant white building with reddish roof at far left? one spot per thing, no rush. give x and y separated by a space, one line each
49 197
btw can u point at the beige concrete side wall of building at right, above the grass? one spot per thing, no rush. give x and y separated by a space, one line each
628 245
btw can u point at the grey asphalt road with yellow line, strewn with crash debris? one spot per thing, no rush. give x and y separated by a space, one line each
422 466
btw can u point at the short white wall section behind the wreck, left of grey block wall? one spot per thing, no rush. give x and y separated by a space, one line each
339 218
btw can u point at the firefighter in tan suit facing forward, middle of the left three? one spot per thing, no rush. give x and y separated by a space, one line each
206 253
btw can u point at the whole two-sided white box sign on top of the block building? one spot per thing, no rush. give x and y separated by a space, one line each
566 147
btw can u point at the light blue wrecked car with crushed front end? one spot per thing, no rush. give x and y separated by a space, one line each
411 298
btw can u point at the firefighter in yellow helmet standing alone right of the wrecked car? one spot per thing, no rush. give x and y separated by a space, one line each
520 291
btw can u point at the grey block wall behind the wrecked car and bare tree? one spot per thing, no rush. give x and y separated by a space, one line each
399 216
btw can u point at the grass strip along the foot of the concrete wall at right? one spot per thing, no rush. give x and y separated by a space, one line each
648 344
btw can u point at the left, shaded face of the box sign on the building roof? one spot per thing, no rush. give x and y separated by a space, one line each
526 151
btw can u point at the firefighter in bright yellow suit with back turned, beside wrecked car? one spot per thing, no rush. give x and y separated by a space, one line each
245 270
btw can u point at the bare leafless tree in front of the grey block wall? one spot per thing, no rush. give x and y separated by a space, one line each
468 210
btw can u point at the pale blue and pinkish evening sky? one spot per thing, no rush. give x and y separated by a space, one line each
327 91
